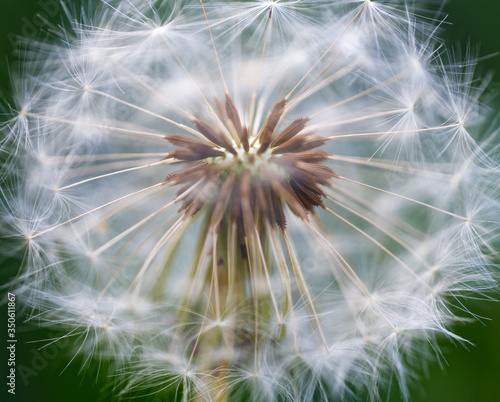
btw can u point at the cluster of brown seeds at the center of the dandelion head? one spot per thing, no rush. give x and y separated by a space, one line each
234 178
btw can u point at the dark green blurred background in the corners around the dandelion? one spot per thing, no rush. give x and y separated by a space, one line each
469 374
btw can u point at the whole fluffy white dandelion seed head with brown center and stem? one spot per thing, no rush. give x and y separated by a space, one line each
264 200
